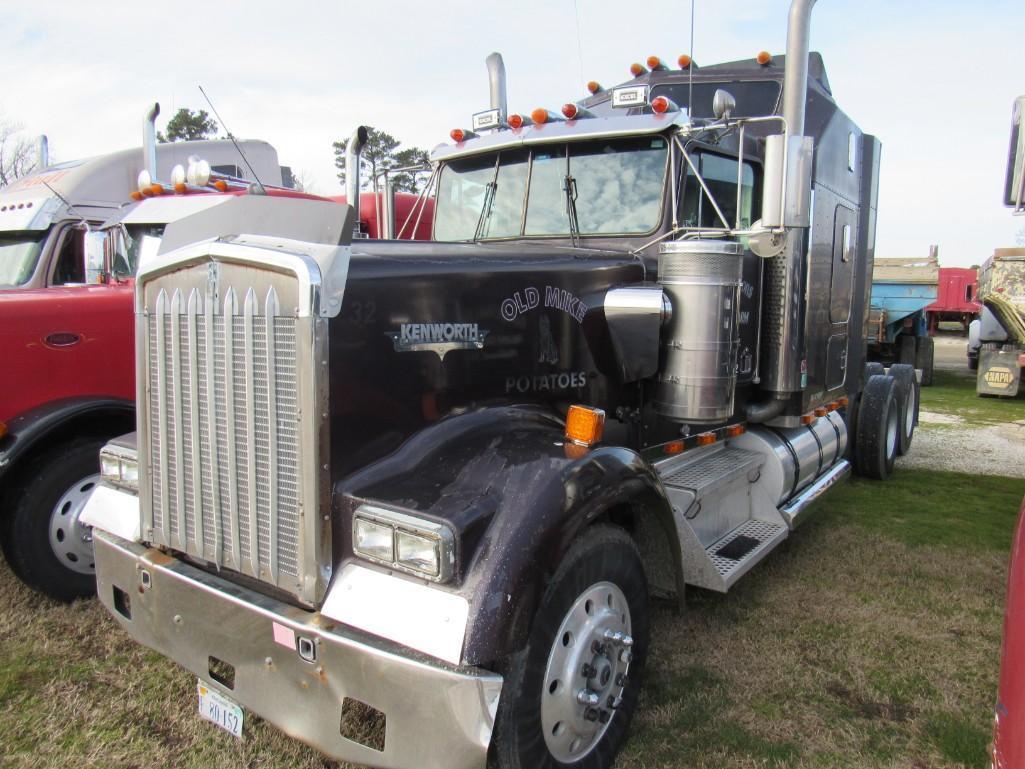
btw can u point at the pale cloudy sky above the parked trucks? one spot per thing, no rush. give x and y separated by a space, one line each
934 82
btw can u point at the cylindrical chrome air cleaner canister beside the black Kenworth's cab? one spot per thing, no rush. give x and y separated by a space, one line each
699 373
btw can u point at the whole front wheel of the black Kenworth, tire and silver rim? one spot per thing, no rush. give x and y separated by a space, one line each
570 695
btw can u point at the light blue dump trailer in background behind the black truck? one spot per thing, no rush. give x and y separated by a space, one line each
898 326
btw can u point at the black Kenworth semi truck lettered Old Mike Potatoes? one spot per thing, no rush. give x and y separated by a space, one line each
630 362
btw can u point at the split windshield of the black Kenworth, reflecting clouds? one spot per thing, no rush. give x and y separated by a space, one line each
611 187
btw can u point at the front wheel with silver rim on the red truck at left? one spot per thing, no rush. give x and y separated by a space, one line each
48 546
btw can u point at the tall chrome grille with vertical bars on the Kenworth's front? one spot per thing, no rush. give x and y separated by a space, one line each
224 439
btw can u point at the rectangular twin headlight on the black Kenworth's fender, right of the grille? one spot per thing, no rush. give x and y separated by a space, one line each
405 543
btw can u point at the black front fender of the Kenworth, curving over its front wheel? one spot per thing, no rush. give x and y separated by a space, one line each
516 496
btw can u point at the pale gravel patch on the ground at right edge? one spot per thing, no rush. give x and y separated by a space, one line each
997 451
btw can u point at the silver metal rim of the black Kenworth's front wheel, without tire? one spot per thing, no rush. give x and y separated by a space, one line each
587 672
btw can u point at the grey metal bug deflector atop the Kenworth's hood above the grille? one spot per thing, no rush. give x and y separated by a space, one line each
296 219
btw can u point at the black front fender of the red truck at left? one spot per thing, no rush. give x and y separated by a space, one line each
29 430
